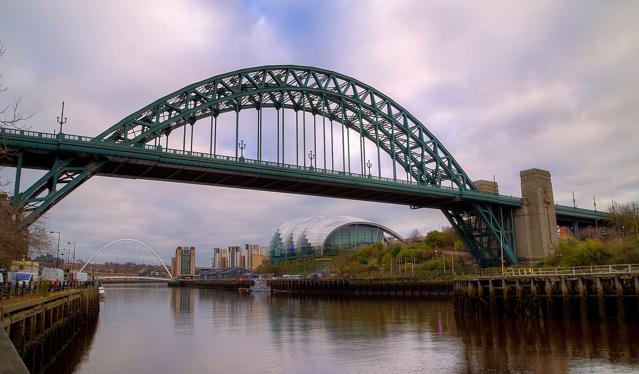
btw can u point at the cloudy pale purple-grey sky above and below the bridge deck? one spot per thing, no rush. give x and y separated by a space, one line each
504 85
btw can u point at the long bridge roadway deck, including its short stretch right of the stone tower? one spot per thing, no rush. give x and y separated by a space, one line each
40 150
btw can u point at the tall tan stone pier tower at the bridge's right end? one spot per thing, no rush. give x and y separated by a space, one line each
536 221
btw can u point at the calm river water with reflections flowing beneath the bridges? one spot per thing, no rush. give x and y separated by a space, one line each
155 329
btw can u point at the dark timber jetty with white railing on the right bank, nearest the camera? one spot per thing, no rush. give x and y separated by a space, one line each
595 292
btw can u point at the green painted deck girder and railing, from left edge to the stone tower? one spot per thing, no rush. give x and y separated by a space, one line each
80 145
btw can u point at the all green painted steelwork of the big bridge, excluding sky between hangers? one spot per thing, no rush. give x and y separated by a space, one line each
478 217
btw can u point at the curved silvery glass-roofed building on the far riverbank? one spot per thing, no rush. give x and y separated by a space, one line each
319 236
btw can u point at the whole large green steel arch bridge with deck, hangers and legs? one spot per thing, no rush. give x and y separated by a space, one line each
312 131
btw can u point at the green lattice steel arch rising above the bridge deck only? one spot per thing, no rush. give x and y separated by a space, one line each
320 92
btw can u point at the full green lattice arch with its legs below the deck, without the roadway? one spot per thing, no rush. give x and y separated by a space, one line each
321 92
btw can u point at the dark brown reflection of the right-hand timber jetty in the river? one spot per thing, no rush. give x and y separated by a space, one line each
545 346
